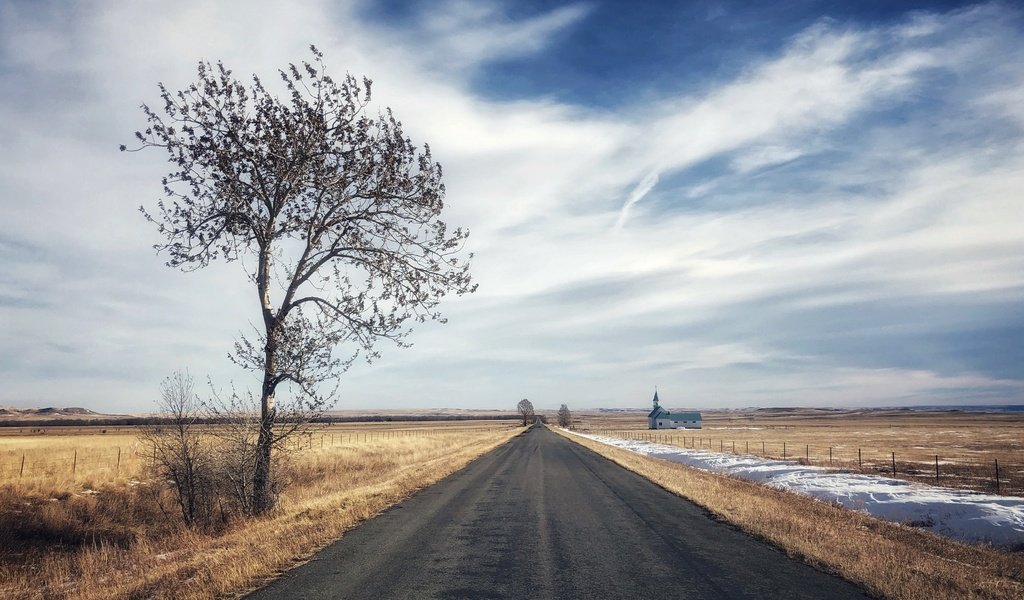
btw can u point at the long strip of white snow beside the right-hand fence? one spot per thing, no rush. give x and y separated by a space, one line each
964 516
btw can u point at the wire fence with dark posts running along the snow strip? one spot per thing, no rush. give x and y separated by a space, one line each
991 476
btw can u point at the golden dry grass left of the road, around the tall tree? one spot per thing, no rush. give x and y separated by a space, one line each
101 534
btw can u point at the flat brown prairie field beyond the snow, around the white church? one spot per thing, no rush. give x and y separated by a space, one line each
956 450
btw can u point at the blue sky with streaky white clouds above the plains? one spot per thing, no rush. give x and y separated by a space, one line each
797 204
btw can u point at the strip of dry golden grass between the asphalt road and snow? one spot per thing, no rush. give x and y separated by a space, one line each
889 561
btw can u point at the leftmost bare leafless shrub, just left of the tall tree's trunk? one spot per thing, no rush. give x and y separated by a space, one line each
179 451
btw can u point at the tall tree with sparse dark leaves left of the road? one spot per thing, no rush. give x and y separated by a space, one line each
337 210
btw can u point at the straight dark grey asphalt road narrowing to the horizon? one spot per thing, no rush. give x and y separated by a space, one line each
543 518
